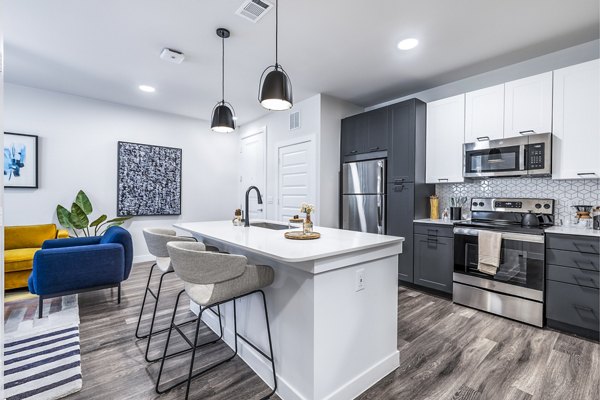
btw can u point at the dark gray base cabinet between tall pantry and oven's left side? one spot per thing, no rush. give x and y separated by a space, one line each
434 260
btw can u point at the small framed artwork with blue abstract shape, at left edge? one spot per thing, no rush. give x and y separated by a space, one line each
20 161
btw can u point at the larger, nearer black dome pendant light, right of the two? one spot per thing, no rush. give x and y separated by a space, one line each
275 92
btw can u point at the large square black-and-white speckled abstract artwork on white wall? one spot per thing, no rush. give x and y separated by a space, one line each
148 180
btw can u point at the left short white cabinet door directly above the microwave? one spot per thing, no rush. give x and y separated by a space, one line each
484 118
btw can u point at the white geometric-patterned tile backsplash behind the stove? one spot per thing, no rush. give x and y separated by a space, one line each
565 192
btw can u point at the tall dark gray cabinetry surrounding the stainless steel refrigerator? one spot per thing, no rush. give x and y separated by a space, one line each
398 133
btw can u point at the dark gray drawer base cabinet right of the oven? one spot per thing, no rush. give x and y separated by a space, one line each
572 279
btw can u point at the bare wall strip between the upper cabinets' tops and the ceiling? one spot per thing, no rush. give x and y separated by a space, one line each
548 62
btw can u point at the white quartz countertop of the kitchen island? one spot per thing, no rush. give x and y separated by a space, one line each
271 243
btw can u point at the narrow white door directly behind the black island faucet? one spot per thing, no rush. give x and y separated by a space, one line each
253 173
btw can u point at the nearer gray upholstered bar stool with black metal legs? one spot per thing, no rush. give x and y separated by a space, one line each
212 279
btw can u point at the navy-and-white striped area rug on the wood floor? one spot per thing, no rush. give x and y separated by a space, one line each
42 360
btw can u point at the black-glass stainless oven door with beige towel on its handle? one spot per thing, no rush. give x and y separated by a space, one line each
521 270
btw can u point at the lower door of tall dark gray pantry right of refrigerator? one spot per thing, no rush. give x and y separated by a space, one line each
400 208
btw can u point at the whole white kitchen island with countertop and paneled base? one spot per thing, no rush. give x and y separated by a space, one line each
332 307
